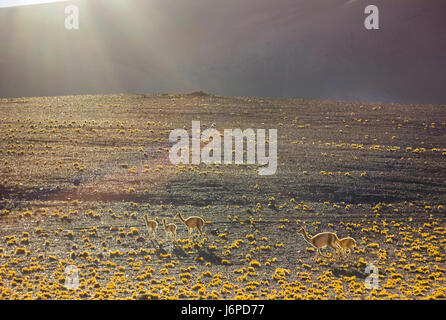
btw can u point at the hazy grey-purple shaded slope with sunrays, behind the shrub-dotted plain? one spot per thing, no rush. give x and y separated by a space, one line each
266 48
